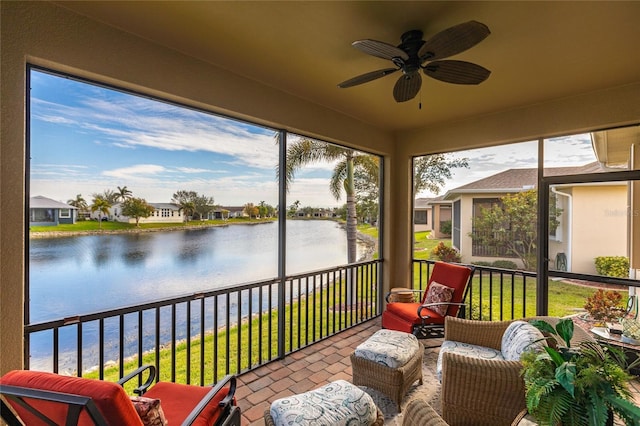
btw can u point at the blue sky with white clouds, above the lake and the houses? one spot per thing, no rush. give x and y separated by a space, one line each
86 139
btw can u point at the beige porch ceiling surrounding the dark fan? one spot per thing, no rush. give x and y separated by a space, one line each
537 51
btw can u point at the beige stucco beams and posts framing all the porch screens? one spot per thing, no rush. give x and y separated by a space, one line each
44 34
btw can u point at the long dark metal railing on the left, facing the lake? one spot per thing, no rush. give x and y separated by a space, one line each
199 338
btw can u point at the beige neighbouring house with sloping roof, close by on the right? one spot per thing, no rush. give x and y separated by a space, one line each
600 208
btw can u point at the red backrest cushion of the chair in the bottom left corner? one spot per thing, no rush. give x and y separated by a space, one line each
110 399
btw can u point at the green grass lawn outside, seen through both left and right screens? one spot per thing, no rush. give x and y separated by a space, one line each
305 321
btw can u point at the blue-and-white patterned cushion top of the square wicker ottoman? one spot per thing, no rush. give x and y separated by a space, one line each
389 347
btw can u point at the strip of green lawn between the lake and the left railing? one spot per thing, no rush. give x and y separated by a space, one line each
305 322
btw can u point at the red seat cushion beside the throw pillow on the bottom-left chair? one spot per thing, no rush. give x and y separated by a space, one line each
177 402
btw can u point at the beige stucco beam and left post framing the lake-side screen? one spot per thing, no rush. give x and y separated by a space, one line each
42 34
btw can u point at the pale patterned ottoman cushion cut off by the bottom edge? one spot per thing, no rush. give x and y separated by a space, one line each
338 403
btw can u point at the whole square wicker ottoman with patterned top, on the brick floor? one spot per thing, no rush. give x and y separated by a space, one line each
389 361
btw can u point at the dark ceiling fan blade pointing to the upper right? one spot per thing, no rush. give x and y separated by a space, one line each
453 40
